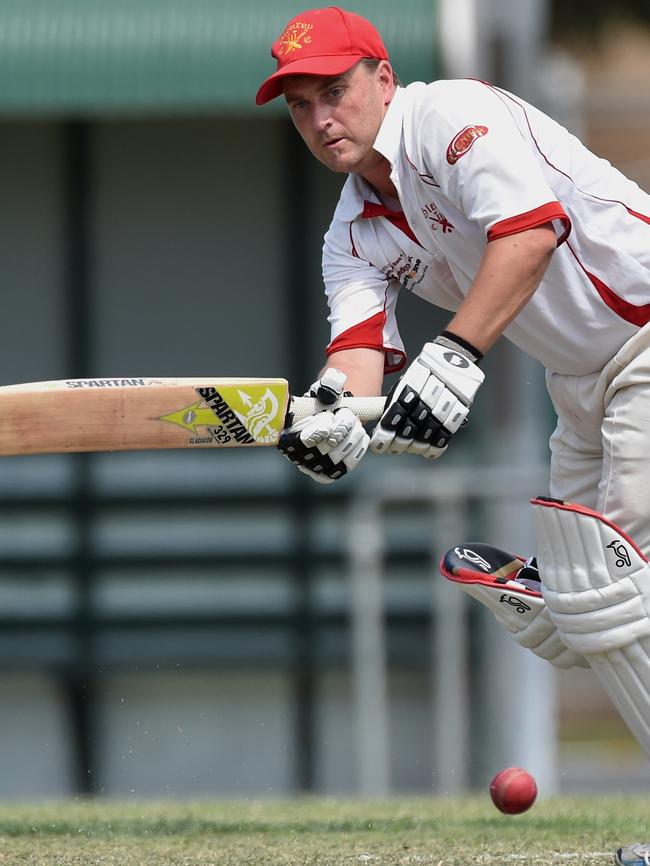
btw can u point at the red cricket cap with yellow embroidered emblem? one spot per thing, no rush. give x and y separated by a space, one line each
321 42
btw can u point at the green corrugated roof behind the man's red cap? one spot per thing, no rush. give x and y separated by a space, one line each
94 57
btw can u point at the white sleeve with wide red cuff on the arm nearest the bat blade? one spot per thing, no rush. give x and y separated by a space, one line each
361 300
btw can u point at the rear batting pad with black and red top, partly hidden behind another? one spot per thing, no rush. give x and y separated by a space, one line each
489 575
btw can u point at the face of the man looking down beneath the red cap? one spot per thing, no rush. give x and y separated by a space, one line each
339 117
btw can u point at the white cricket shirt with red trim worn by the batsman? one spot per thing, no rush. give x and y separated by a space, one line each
472 163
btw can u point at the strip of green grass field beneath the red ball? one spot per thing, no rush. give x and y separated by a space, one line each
437 831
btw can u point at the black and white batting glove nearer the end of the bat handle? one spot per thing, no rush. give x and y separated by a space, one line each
430 402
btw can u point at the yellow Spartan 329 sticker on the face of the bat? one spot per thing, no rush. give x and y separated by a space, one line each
234 415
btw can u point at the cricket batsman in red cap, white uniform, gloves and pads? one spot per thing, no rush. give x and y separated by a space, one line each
476 201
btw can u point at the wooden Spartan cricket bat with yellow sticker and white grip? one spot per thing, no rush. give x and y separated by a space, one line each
141 414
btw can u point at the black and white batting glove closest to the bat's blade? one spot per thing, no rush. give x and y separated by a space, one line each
330 443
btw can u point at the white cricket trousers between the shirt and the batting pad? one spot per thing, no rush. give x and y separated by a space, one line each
600 449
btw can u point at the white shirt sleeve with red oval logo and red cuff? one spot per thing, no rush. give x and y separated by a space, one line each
475 141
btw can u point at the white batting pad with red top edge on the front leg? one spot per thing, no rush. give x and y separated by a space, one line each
596 584
